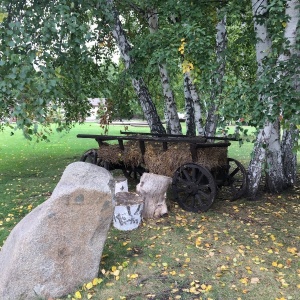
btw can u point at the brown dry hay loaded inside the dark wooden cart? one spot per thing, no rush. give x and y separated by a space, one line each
163 162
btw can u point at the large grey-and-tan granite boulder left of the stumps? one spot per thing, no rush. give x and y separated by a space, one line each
58 246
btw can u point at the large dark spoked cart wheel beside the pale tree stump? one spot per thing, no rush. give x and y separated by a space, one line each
194 188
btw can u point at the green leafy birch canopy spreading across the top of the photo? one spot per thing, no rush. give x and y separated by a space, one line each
57 54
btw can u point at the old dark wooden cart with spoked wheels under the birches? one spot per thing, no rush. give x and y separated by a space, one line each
194 184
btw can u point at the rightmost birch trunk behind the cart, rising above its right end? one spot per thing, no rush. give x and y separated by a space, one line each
221 43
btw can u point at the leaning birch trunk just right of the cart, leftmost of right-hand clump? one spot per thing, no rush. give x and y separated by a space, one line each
263 46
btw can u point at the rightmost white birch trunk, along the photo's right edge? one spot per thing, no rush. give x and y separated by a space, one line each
290 135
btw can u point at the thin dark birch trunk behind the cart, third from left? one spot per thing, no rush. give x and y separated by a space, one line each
189 108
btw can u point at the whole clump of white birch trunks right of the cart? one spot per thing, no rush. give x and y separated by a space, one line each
280 97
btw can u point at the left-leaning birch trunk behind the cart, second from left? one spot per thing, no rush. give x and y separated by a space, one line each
170 109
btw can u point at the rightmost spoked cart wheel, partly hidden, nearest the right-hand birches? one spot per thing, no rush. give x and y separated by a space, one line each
236 179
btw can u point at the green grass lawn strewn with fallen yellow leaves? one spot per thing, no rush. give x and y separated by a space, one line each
237 250
